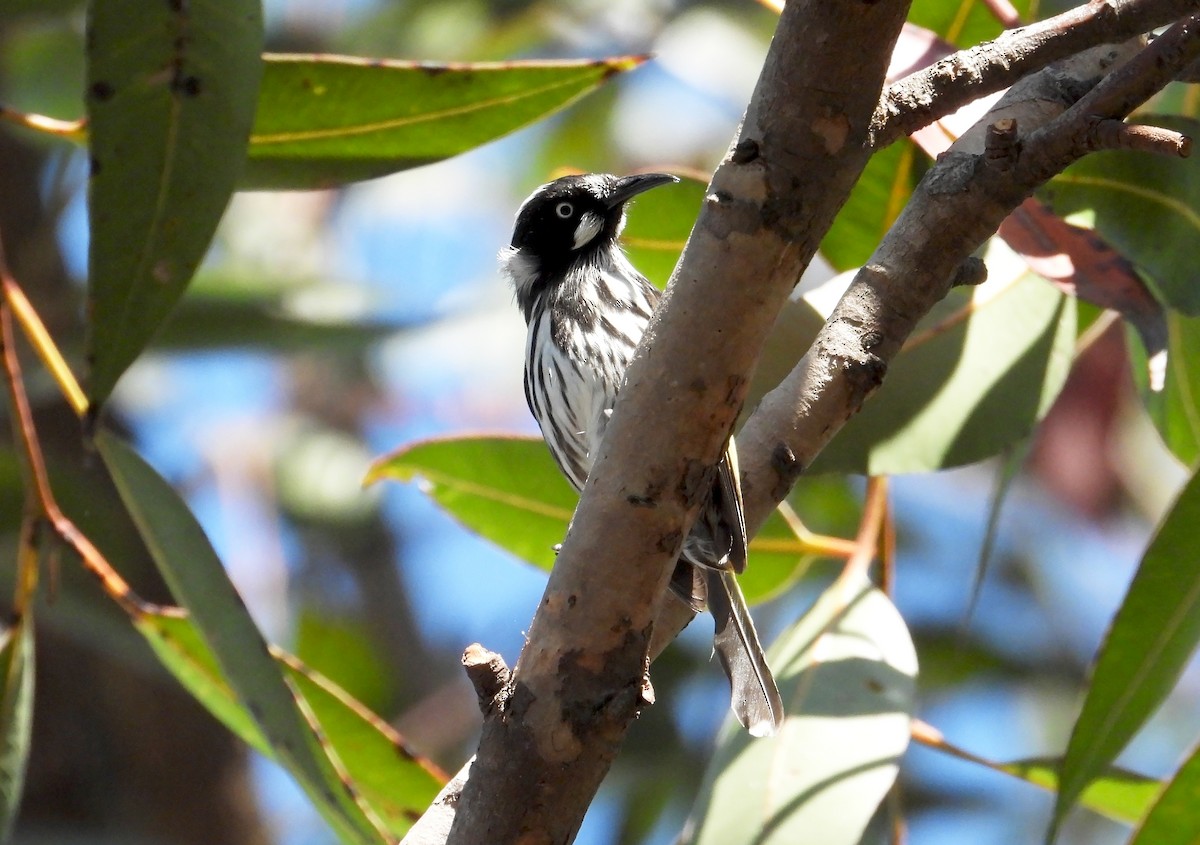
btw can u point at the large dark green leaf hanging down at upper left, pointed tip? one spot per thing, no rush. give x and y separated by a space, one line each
171 99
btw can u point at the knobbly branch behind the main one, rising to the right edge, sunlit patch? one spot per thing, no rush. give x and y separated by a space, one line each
959 203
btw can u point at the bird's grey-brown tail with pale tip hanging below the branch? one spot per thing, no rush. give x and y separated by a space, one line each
754 697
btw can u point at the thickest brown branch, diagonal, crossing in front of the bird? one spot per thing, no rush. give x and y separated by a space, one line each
579 682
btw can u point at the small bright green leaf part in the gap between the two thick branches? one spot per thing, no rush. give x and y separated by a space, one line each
873 206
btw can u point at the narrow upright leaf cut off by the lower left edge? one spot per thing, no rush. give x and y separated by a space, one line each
16 717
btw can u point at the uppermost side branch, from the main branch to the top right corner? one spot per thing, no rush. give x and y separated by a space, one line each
945 87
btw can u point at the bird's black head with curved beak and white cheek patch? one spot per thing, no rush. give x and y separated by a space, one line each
572 219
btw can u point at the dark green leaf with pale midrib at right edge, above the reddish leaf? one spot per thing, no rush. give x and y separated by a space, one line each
1145 206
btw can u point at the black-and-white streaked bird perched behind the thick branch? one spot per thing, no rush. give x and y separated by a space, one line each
586 308
